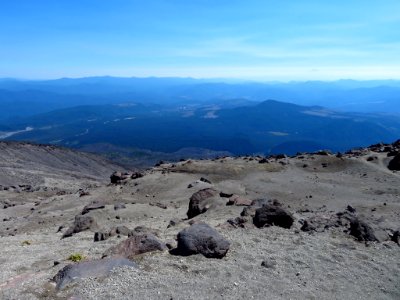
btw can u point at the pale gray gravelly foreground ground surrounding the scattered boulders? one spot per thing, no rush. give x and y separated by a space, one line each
262 263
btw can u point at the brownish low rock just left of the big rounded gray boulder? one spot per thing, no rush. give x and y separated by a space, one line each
136 244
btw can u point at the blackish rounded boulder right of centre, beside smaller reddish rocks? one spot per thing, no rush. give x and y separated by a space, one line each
273 215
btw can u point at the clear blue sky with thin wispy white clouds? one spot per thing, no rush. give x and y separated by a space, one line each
266 40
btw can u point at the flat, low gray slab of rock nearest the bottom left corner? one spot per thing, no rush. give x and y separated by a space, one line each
94 268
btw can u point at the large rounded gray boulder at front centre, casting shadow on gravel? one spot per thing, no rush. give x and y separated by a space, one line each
201 239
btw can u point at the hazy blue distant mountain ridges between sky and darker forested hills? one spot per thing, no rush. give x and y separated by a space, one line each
19 98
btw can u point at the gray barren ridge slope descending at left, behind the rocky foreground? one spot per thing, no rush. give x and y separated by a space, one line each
46 165
